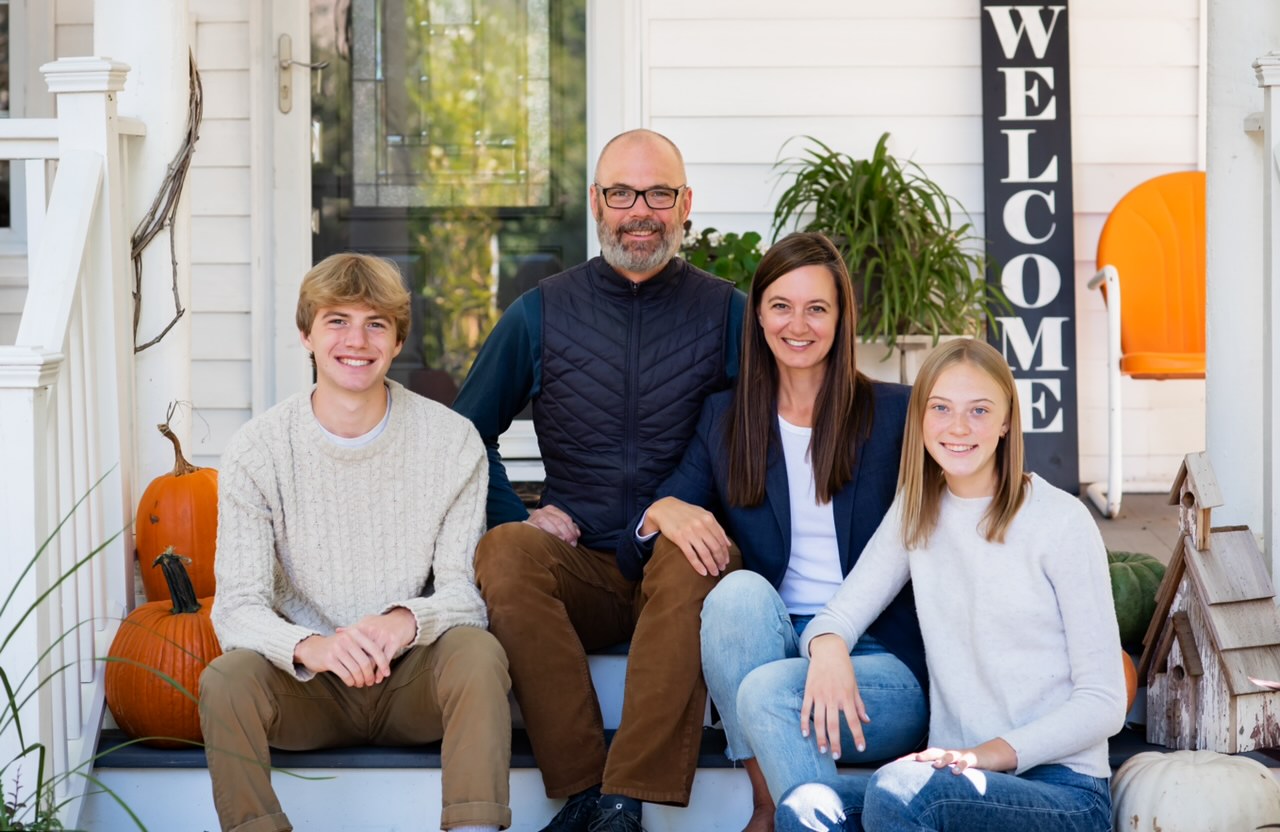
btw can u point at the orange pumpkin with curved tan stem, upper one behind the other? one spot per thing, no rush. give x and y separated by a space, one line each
180 510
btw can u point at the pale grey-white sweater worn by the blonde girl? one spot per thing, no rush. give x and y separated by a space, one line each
1021 638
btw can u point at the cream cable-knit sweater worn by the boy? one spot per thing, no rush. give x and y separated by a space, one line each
313 537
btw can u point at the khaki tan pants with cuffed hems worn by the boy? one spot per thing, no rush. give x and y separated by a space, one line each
455 689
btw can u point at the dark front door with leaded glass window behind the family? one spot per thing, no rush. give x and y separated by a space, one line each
450 136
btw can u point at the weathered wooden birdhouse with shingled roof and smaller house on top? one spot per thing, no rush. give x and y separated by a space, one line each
1215 638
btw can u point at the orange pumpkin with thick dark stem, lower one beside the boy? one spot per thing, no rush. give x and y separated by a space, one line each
162 639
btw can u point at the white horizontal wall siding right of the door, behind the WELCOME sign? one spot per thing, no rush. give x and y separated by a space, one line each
732 81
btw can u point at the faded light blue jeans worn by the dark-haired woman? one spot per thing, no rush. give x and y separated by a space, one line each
751 648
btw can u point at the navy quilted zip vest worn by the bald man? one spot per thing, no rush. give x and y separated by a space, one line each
625 371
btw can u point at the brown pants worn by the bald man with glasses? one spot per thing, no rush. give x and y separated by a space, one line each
551 604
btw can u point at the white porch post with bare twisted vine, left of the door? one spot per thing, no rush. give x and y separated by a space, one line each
153 36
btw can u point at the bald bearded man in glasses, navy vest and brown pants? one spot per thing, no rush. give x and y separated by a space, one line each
616 356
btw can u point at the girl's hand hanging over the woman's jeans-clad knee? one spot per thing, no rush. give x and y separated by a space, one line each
829 692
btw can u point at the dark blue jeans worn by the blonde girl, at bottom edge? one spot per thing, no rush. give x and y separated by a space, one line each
909 797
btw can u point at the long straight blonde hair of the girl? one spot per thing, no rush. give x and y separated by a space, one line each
920 478
